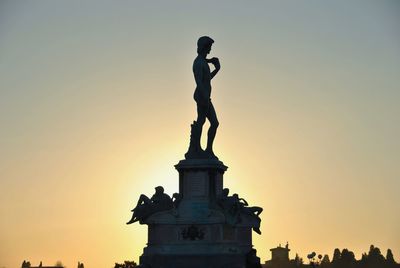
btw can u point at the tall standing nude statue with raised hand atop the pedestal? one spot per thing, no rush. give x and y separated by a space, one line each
202 96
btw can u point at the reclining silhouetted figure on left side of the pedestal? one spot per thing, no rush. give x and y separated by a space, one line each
145 206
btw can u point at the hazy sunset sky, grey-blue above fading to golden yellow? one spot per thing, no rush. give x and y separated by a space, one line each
96 105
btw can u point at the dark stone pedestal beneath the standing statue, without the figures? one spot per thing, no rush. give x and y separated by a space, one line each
195 234
